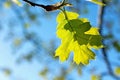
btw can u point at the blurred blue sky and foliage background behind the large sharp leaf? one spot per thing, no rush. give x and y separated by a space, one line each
28 42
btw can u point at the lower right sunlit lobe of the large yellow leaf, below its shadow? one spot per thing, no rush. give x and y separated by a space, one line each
82 54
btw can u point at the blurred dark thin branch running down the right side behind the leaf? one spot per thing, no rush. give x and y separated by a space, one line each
104 52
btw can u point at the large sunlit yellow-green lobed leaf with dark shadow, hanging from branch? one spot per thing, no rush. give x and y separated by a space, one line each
76 36
